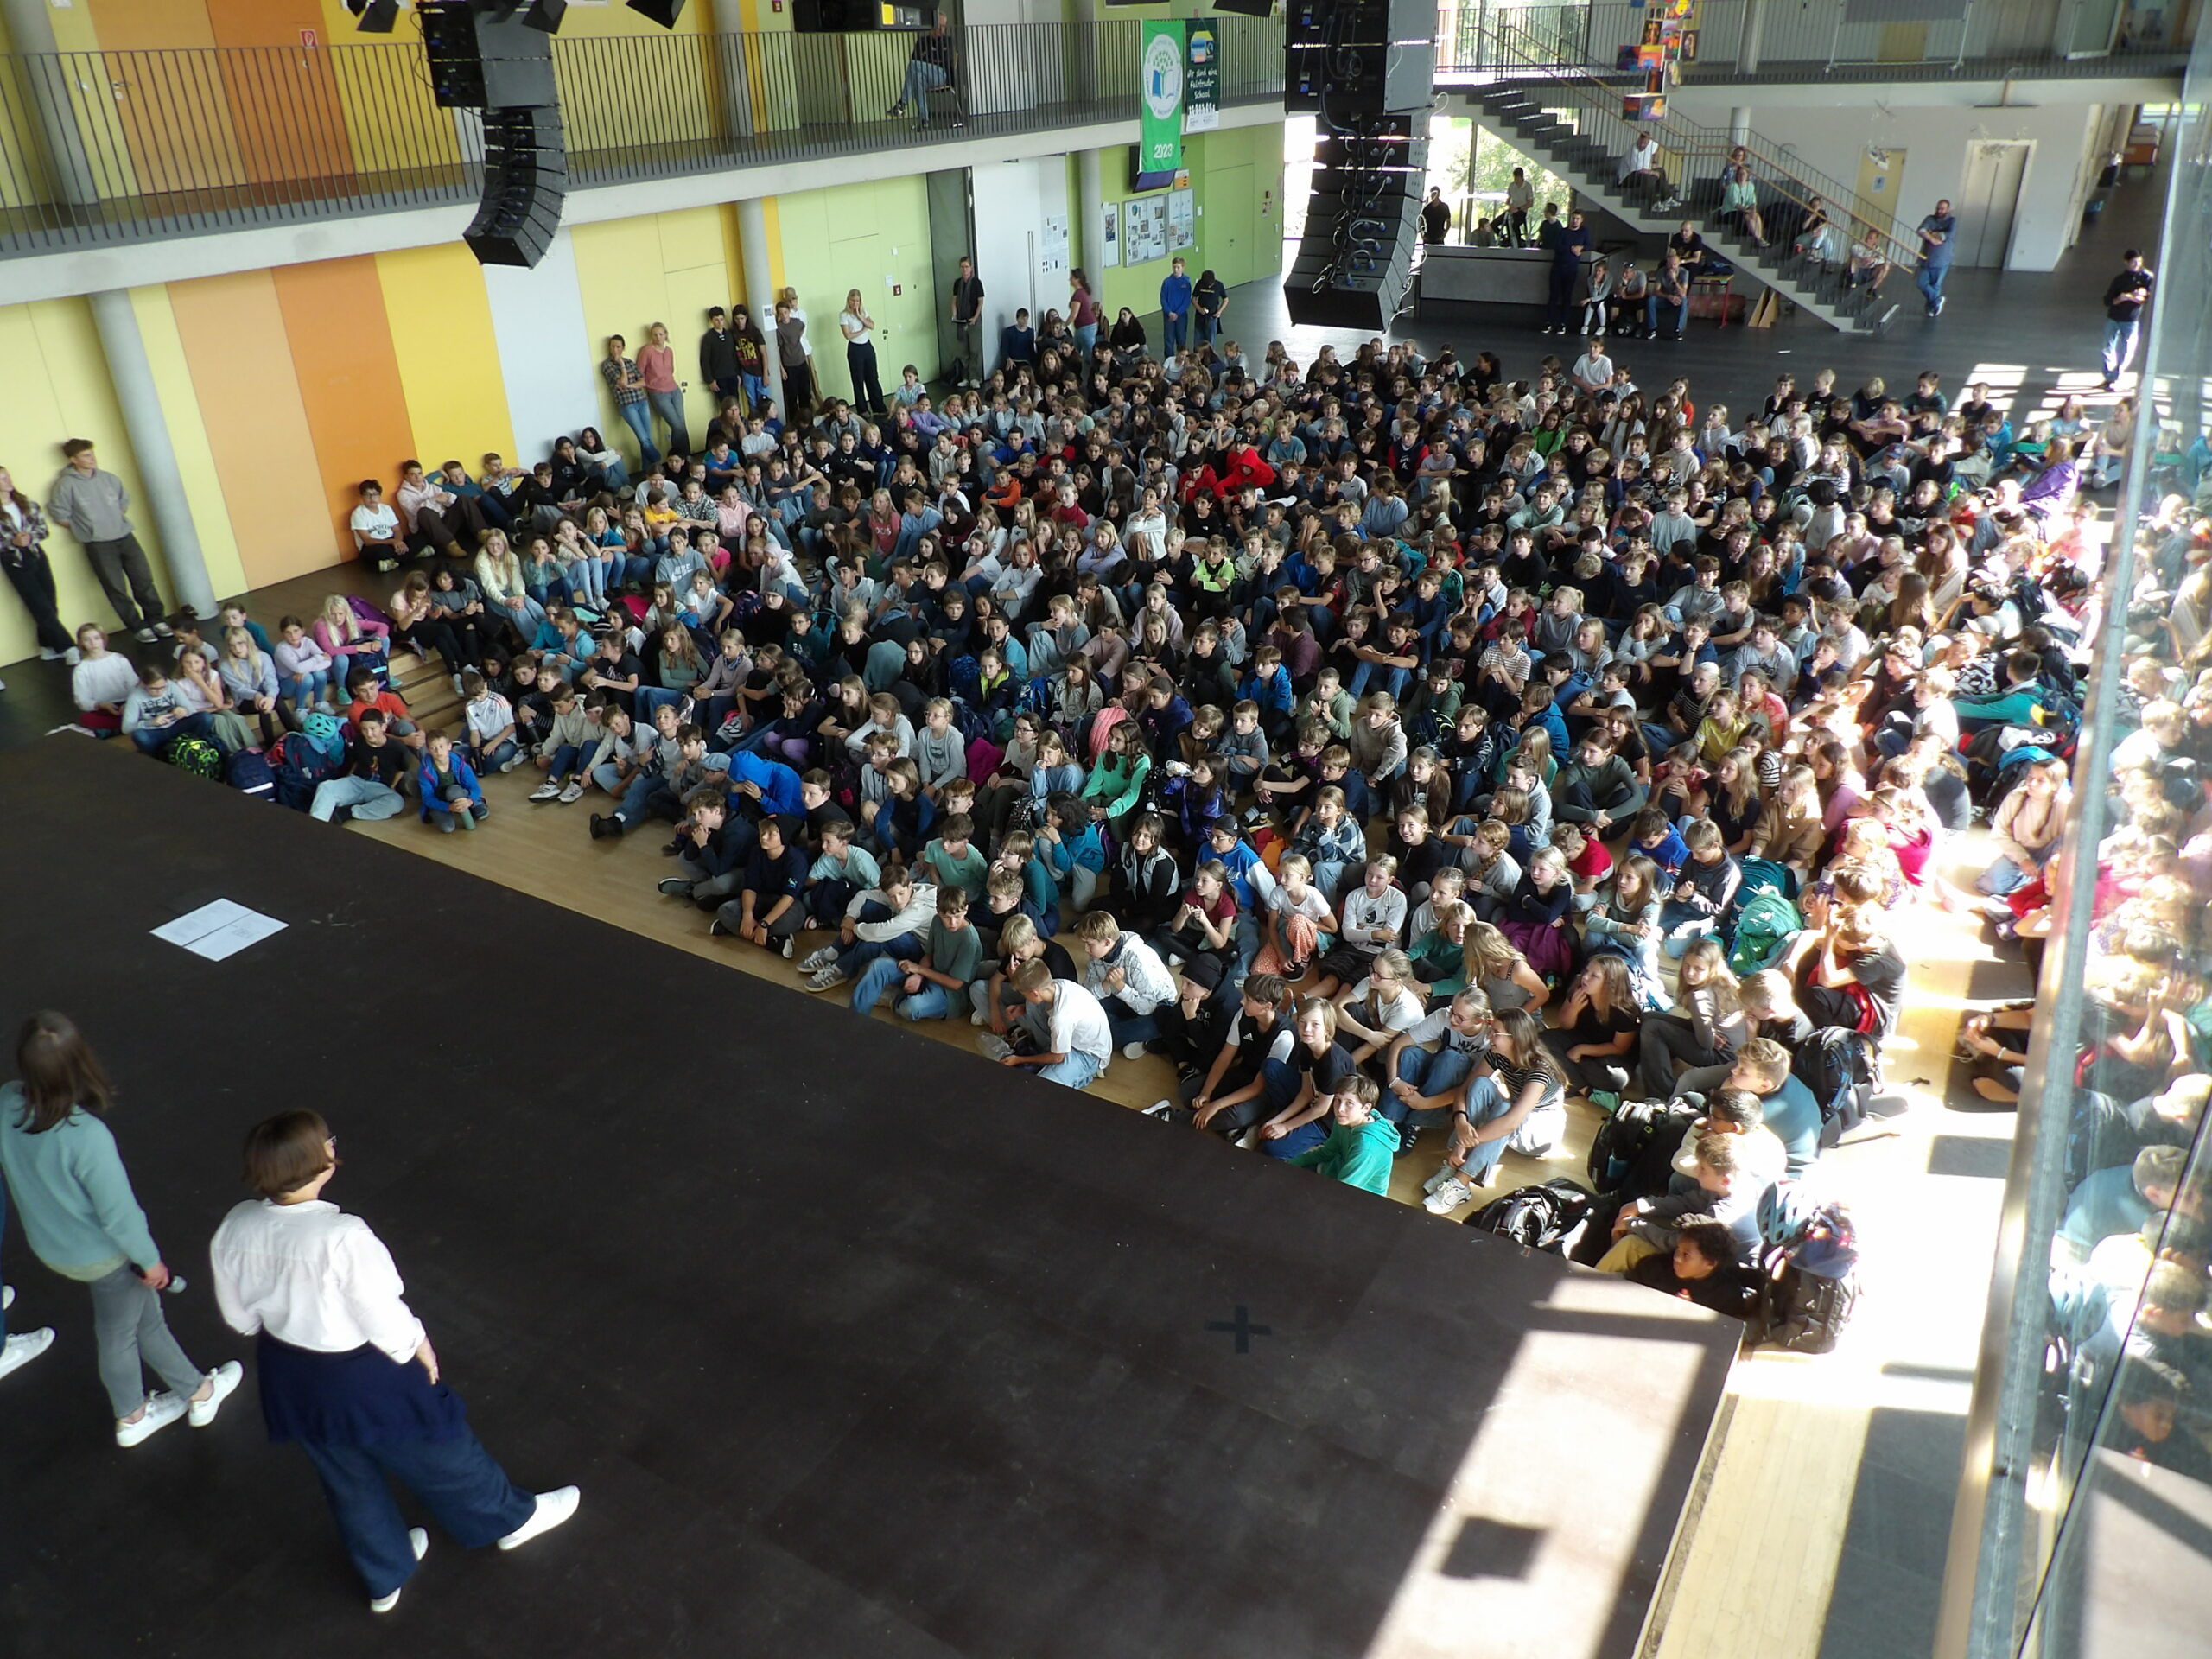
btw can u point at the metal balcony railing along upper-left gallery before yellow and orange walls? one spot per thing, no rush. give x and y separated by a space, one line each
121 147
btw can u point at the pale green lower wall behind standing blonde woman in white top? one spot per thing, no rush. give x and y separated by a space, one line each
857 236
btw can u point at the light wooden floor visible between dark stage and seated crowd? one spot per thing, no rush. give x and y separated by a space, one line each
1819 1521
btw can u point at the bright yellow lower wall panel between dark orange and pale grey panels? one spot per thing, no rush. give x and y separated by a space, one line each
450 362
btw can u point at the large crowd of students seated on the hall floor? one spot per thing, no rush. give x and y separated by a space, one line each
1388 744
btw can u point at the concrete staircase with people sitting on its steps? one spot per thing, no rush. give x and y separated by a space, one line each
1536 125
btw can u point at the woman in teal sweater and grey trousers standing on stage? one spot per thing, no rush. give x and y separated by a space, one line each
85 1222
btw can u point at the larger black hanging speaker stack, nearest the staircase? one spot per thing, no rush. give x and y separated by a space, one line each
1366 70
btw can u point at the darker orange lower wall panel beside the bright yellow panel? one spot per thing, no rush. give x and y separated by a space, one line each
348 382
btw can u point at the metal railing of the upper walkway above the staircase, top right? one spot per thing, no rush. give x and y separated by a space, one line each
1819 39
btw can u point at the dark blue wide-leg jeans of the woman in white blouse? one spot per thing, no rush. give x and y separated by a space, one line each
457 1481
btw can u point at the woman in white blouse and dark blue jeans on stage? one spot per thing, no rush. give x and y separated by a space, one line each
348 1370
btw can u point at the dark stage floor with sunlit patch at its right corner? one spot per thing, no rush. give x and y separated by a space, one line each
855 1344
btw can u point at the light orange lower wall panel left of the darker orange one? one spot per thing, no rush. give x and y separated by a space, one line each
249 397
